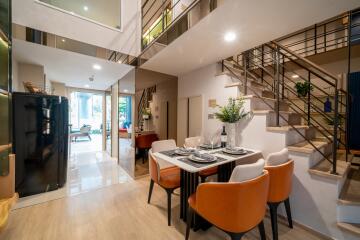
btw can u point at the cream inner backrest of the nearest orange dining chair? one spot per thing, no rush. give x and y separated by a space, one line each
247 171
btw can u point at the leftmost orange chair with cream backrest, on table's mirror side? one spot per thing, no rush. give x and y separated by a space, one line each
168 178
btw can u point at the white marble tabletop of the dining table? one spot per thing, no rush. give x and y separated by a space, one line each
187 167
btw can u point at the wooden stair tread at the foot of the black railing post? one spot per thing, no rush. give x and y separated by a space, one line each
324 168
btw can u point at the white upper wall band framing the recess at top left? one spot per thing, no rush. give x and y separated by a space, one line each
32 14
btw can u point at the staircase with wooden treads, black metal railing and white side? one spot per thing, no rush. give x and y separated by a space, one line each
326 179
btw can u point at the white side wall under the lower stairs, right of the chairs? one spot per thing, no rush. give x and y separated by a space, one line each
314 198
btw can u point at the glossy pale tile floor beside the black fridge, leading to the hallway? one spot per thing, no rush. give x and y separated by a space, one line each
87 170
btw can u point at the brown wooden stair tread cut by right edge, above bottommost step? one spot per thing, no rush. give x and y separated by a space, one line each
350 193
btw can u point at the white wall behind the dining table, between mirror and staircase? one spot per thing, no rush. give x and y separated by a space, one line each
204 82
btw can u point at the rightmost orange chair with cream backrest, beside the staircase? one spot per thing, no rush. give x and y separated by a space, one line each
281 170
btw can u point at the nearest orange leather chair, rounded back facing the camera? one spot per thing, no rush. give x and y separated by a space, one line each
234 207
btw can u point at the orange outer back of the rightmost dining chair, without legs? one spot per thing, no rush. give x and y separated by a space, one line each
280 181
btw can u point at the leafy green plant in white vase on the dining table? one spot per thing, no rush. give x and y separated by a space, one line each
230 114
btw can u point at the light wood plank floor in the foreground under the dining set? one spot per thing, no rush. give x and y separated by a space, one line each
117 212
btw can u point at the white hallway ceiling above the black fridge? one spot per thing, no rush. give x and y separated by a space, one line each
70 68
